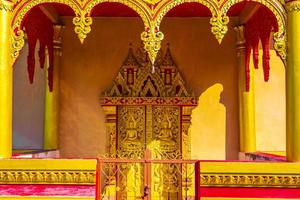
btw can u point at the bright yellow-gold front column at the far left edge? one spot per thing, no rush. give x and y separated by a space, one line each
6 76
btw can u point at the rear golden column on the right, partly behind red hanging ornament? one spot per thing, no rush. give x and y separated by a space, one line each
246 99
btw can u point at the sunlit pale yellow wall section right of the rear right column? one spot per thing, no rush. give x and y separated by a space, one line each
270 107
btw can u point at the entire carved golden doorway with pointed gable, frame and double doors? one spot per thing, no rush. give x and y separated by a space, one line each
148 107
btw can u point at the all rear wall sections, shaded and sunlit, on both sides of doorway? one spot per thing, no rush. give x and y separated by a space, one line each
88 69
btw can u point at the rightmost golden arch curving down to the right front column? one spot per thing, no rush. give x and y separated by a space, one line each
277 8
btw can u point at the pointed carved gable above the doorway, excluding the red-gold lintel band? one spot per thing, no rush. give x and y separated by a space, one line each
135 78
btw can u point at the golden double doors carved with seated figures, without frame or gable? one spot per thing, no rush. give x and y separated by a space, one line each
158 129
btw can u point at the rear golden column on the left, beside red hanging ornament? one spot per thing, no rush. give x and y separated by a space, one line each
52 98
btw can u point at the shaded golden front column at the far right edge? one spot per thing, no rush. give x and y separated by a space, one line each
293 82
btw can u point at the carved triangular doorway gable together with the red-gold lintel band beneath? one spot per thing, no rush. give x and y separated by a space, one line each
135 81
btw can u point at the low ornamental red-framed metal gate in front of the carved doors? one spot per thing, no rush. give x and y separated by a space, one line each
148 178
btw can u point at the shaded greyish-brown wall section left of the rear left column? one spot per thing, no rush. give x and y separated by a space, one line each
28 105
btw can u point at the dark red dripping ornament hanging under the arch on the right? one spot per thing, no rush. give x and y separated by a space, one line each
259 28
